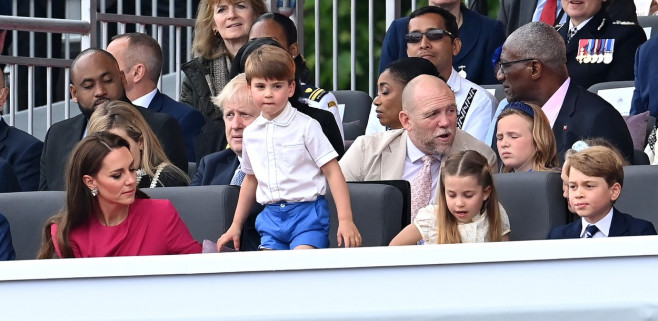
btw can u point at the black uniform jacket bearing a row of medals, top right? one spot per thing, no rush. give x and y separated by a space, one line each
627 39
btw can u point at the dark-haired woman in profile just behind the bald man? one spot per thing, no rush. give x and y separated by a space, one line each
388 103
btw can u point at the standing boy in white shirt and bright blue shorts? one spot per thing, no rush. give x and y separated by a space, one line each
287 161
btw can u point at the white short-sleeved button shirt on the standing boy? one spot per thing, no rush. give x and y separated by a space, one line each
286 155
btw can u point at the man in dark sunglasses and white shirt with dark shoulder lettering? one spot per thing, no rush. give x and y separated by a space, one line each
432 34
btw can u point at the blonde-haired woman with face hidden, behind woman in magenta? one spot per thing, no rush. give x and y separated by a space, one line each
154 168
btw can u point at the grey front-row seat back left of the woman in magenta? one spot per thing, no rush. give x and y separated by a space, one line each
27 213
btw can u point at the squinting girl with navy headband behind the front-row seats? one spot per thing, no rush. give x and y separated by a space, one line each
525 139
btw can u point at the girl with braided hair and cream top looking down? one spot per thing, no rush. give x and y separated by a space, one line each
467 210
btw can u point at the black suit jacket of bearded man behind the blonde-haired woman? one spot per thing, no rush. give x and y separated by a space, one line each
62 137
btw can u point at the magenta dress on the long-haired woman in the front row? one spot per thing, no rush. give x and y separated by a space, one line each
153 227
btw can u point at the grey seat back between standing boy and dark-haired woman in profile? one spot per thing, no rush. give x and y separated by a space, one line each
355 116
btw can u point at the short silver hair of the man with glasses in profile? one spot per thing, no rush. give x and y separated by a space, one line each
539 41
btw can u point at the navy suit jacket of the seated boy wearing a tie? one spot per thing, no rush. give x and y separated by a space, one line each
621 225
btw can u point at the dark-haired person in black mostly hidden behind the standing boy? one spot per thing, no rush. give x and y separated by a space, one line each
325 118
